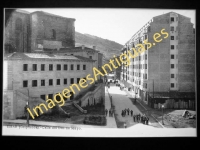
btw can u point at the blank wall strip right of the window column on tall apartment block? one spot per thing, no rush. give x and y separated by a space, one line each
186 57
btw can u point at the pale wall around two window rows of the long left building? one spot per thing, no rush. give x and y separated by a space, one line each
19 75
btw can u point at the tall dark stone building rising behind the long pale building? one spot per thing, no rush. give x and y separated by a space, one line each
30 32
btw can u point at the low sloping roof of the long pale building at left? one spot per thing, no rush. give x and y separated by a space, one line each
24 56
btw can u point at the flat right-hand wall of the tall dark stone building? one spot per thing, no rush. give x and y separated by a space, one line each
41 27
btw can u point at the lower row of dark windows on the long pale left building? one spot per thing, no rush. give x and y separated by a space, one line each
50 82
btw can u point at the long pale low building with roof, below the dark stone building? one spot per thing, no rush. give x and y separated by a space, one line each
39 75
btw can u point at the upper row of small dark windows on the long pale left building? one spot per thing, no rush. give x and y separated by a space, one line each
58 67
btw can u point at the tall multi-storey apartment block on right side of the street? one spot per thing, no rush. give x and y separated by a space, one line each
167 69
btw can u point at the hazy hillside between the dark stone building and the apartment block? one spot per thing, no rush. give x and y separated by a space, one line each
107 47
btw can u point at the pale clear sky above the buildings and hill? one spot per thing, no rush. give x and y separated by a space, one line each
117 25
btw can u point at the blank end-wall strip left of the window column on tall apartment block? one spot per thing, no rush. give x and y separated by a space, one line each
159 56
